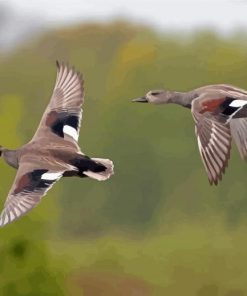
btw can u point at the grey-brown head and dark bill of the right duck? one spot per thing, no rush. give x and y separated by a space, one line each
156 97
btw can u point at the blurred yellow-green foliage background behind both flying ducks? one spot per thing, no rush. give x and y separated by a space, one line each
156 227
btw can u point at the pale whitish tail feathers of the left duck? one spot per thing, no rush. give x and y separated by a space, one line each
105 173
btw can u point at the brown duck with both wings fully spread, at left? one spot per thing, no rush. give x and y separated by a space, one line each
53 152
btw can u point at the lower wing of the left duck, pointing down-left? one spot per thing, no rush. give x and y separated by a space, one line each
31 183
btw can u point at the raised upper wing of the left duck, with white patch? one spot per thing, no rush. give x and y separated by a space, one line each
62 117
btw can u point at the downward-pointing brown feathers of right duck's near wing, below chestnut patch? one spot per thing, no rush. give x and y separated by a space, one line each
214 141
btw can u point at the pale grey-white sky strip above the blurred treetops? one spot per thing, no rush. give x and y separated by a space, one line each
24 16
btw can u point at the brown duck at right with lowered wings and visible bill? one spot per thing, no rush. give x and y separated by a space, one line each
220 114
